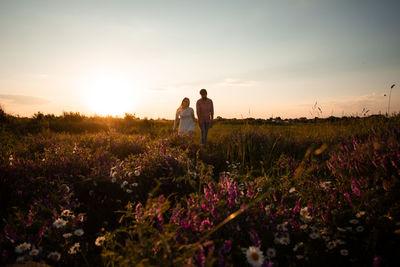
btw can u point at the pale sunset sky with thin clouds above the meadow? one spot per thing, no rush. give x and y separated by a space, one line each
256 58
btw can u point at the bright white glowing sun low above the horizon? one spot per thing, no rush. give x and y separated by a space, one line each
110 95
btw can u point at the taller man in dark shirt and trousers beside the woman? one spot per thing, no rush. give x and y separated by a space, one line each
205 114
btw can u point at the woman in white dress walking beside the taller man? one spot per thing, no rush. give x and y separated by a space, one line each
185 116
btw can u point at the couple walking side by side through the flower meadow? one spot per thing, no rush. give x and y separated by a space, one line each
205 115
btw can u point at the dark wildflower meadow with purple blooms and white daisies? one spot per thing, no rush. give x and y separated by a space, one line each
79 191
